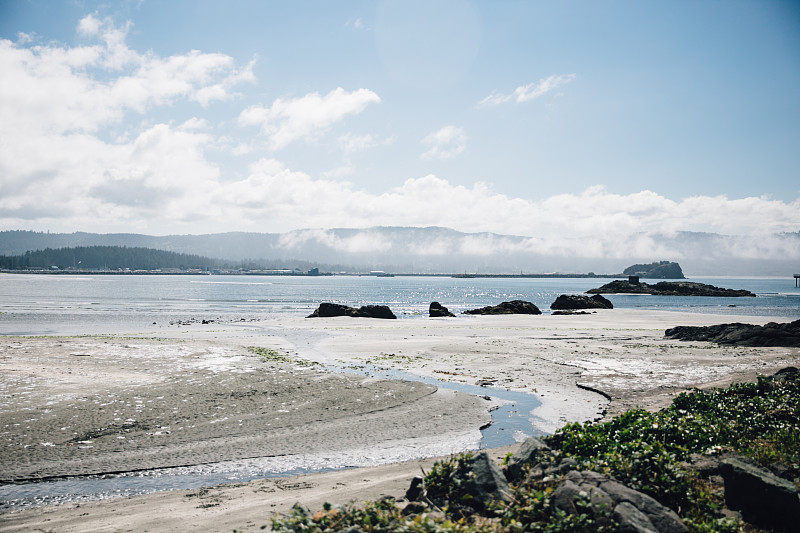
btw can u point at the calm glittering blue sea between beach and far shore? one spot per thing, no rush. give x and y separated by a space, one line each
56 304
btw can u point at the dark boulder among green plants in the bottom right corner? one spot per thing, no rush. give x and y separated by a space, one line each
763 498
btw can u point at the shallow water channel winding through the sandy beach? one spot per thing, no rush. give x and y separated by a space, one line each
512 422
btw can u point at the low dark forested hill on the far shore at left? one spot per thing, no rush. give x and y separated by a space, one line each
106 258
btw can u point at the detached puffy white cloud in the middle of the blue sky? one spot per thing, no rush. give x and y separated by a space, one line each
289 120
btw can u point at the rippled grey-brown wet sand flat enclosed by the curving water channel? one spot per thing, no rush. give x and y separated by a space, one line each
94 406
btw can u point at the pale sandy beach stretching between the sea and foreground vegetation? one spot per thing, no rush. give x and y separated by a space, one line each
196 394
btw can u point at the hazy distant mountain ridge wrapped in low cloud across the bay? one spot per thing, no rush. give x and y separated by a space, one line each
437 249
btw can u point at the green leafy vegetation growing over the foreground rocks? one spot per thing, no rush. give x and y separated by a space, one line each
645 451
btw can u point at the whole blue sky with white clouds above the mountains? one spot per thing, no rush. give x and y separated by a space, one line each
542 119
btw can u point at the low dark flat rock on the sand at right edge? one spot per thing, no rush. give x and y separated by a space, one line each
772 334
